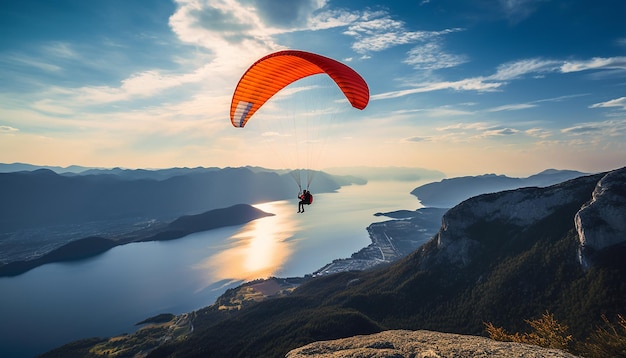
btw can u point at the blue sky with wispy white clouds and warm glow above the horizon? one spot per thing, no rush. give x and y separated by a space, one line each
470 87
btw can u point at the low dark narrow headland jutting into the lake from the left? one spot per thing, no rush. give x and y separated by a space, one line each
92 246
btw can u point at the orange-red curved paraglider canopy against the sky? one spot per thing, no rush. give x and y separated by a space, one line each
275 71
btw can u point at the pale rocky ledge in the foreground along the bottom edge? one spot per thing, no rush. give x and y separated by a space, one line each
424 344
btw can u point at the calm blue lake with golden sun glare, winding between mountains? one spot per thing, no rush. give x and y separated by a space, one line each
106 295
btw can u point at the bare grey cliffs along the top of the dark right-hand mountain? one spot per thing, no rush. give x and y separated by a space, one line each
599 203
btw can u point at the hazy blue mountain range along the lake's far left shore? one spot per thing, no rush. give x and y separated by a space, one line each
42 197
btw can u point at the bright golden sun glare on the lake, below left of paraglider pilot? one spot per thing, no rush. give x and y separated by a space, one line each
258 249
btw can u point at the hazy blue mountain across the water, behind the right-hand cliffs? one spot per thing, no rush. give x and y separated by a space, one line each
449 192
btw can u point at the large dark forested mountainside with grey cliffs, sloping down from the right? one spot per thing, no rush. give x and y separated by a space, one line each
500 258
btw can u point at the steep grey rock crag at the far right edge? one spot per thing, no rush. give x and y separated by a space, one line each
602 221
